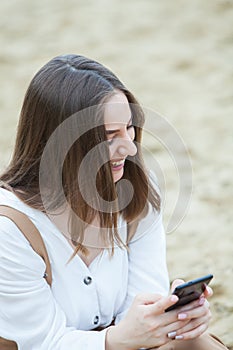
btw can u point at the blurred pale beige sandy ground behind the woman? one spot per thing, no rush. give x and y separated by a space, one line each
176 56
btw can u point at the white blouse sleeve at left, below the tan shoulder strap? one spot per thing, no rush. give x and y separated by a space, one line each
29 314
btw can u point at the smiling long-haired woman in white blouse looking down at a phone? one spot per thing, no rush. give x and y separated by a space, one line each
77 172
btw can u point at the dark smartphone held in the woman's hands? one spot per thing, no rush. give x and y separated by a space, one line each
190 291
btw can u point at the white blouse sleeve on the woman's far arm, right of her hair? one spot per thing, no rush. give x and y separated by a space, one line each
147 270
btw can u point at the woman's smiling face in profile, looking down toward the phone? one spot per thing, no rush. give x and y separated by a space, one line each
120 132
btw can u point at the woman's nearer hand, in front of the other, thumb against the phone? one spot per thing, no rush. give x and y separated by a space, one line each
146 325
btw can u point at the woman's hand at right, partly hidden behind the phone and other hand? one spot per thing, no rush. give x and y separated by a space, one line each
196 313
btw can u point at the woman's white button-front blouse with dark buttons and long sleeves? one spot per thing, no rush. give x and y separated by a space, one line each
81 298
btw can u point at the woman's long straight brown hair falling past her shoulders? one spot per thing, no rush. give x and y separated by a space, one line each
64 87
